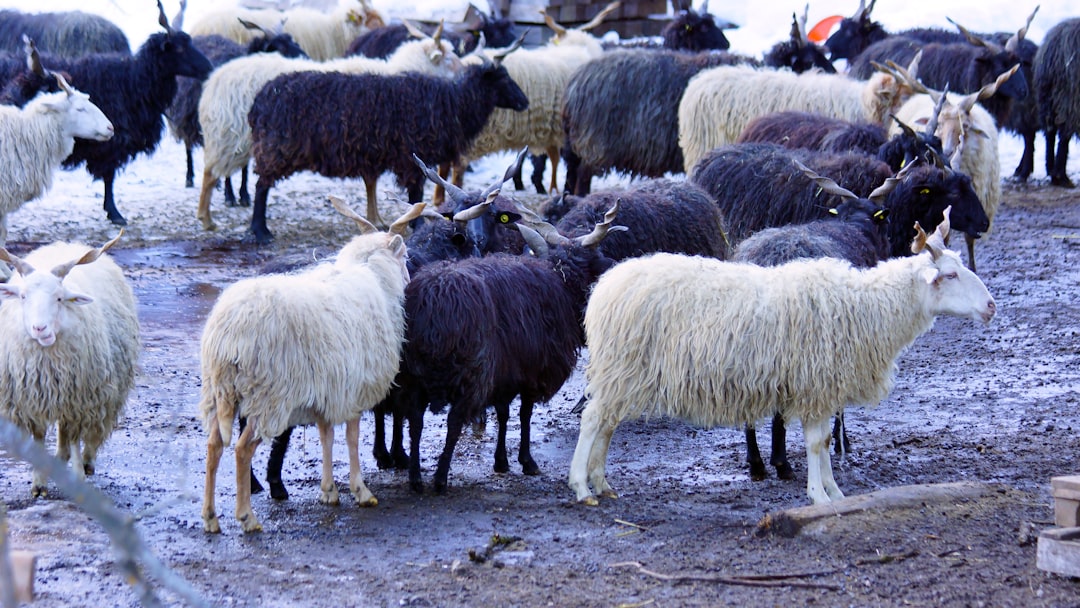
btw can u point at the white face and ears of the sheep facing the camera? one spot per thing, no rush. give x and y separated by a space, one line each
45 302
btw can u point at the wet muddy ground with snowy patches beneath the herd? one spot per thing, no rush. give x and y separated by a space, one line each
996 406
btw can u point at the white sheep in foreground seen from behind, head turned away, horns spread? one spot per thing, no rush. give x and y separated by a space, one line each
317 347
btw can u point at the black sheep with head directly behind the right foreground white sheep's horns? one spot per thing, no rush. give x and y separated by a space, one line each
738 175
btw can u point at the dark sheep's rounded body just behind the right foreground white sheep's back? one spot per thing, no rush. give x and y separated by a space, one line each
663 215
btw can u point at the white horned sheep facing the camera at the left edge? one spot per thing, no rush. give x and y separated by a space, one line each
70 344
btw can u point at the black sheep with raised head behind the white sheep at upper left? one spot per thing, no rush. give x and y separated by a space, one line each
133 92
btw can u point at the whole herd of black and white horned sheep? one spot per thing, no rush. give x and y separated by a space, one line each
816 209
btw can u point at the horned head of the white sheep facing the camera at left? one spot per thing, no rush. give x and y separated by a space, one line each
44 295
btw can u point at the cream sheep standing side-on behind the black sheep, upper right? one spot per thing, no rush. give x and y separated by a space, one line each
719 103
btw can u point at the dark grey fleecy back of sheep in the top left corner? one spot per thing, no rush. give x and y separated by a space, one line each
71 34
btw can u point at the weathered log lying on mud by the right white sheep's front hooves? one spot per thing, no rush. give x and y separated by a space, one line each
791 522
